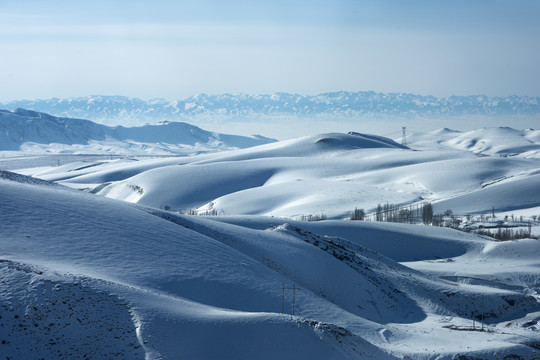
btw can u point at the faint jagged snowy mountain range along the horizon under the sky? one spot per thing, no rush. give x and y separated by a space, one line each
116 110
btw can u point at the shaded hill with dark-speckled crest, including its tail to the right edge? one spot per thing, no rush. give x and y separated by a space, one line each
381 290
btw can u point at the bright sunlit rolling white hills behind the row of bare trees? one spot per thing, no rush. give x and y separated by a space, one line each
328 174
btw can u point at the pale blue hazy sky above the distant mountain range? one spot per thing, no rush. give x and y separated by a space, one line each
174 49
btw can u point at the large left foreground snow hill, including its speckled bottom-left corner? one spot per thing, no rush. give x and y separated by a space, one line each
87 276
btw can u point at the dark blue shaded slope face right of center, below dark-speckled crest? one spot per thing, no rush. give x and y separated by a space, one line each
367 295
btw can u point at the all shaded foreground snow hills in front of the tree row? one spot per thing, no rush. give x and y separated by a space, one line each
83 275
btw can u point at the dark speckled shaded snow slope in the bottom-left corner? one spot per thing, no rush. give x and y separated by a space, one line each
63 318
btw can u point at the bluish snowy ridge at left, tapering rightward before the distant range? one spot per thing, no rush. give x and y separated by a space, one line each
38 132
